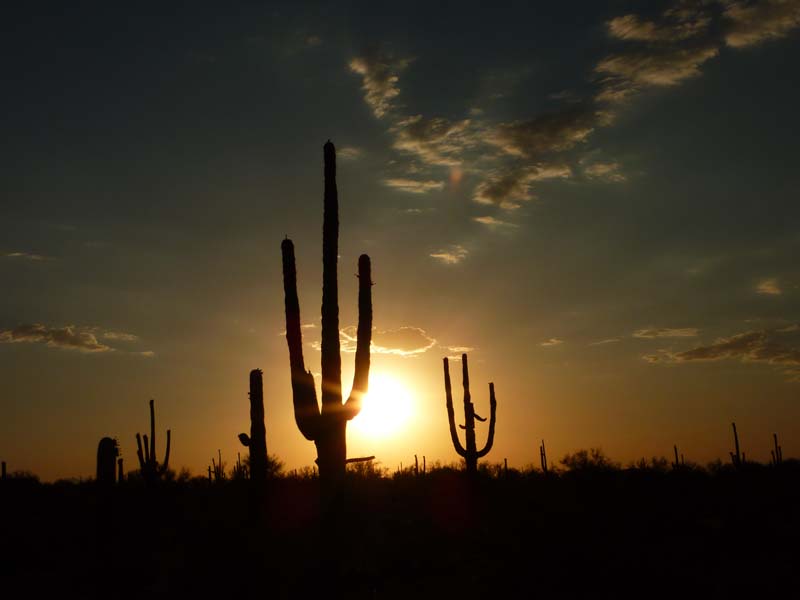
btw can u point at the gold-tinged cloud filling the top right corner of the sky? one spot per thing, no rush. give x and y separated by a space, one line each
750 23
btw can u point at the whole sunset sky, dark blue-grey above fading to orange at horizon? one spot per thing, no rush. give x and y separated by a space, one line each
596 200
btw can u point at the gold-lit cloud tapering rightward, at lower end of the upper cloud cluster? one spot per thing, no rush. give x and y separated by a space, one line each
509 187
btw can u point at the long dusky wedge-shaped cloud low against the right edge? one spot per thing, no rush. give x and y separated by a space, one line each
776 347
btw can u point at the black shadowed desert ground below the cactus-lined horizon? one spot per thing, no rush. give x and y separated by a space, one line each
588 534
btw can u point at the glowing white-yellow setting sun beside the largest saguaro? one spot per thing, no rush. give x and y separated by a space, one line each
385 410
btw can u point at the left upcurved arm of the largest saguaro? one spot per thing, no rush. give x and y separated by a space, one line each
304 394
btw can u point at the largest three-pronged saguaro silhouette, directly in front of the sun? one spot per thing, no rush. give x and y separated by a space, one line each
327 426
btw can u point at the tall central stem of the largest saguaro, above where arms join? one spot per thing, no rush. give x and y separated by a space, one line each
331 359
